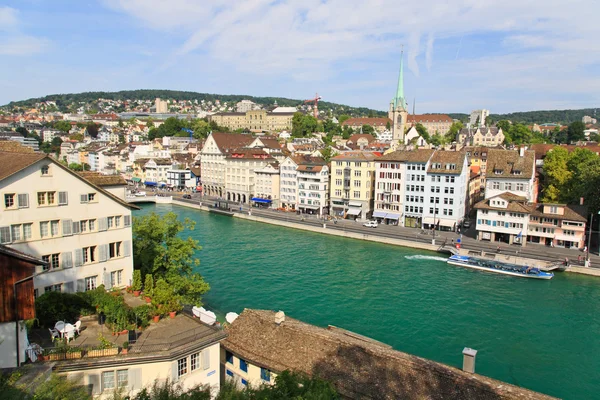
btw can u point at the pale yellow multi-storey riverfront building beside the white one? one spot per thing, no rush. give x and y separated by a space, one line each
352 184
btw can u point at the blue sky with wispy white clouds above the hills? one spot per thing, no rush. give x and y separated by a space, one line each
460 55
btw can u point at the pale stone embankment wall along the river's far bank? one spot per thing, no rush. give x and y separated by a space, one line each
322 229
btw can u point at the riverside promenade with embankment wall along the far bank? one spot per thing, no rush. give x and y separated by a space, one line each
531 254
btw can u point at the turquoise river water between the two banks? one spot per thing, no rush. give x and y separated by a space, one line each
542 335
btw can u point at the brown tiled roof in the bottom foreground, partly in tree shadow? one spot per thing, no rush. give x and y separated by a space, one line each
359 367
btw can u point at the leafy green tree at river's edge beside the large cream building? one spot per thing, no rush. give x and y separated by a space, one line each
160 249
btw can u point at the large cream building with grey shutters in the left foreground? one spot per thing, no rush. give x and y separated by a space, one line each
80 229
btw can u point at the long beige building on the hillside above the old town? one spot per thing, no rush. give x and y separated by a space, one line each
254 120
